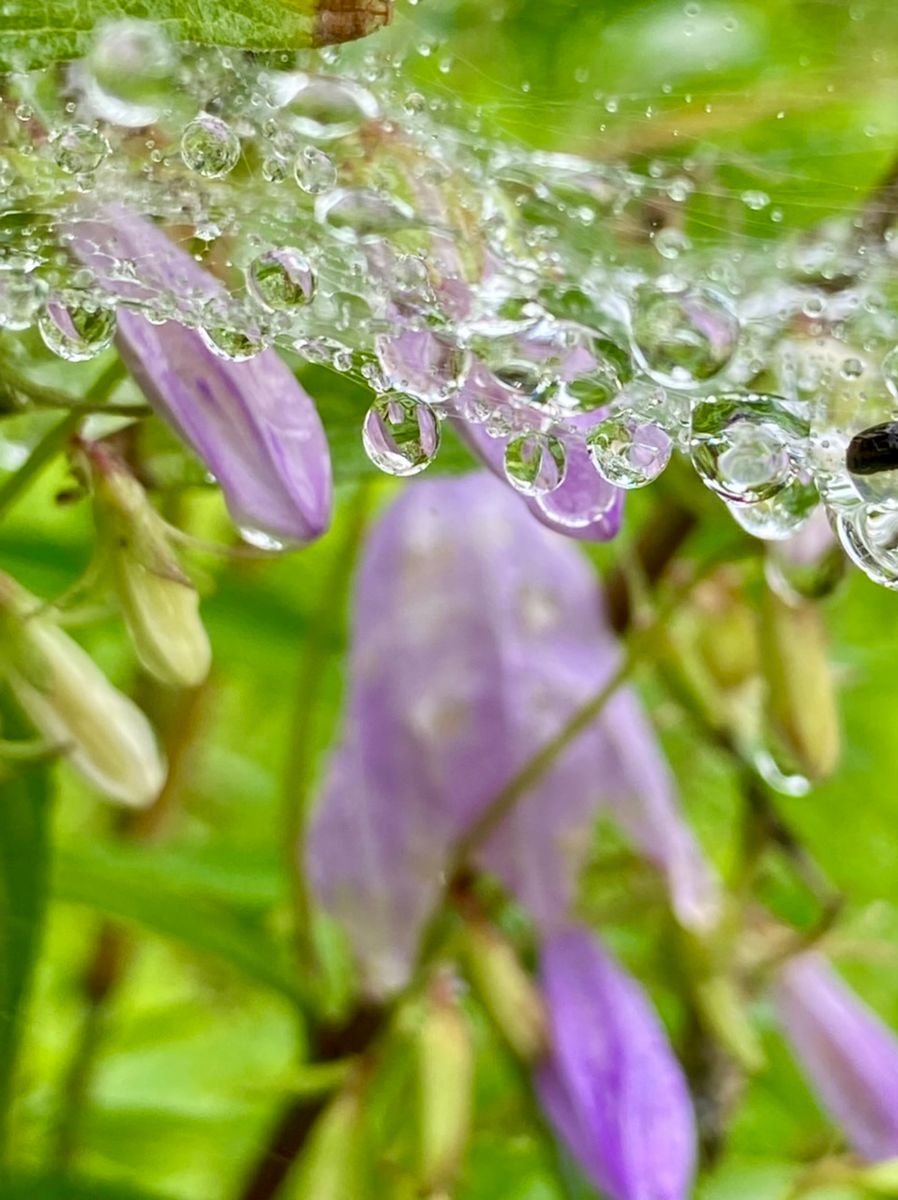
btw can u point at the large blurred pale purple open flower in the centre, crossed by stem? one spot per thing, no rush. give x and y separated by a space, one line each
477 634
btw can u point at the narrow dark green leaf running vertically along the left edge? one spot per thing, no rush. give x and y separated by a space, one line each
23 889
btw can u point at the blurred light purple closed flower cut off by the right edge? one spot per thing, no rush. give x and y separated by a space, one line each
848 1053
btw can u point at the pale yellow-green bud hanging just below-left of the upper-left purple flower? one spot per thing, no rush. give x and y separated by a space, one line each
160 604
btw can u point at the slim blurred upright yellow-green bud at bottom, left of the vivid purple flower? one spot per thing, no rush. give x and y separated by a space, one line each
446 1071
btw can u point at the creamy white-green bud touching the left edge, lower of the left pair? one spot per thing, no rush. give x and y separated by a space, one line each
73 704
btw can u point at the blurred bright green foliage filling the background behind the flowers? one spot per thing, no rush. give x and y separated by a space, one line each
203 1037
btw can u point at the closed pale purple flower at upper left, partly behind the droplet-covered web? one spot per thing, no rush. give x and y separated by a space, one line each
253 425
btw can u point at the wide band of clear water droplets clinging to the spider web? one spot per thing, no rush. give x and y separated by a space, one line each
358 224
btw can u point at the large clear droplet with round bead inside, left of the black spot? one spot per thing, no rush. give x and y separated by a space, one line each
747 447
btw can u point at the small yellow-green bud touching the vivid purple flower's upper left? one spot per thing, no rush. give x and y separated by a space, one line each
506 991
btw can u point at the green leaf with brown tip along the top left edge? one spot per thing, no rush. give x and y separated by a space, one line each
40 32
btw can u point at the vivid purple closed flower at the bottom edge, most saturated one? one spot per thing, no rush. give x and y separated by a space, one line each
612 1085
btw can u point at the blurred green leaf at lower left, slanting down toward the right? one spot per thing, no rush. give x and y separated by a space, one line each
133 886
